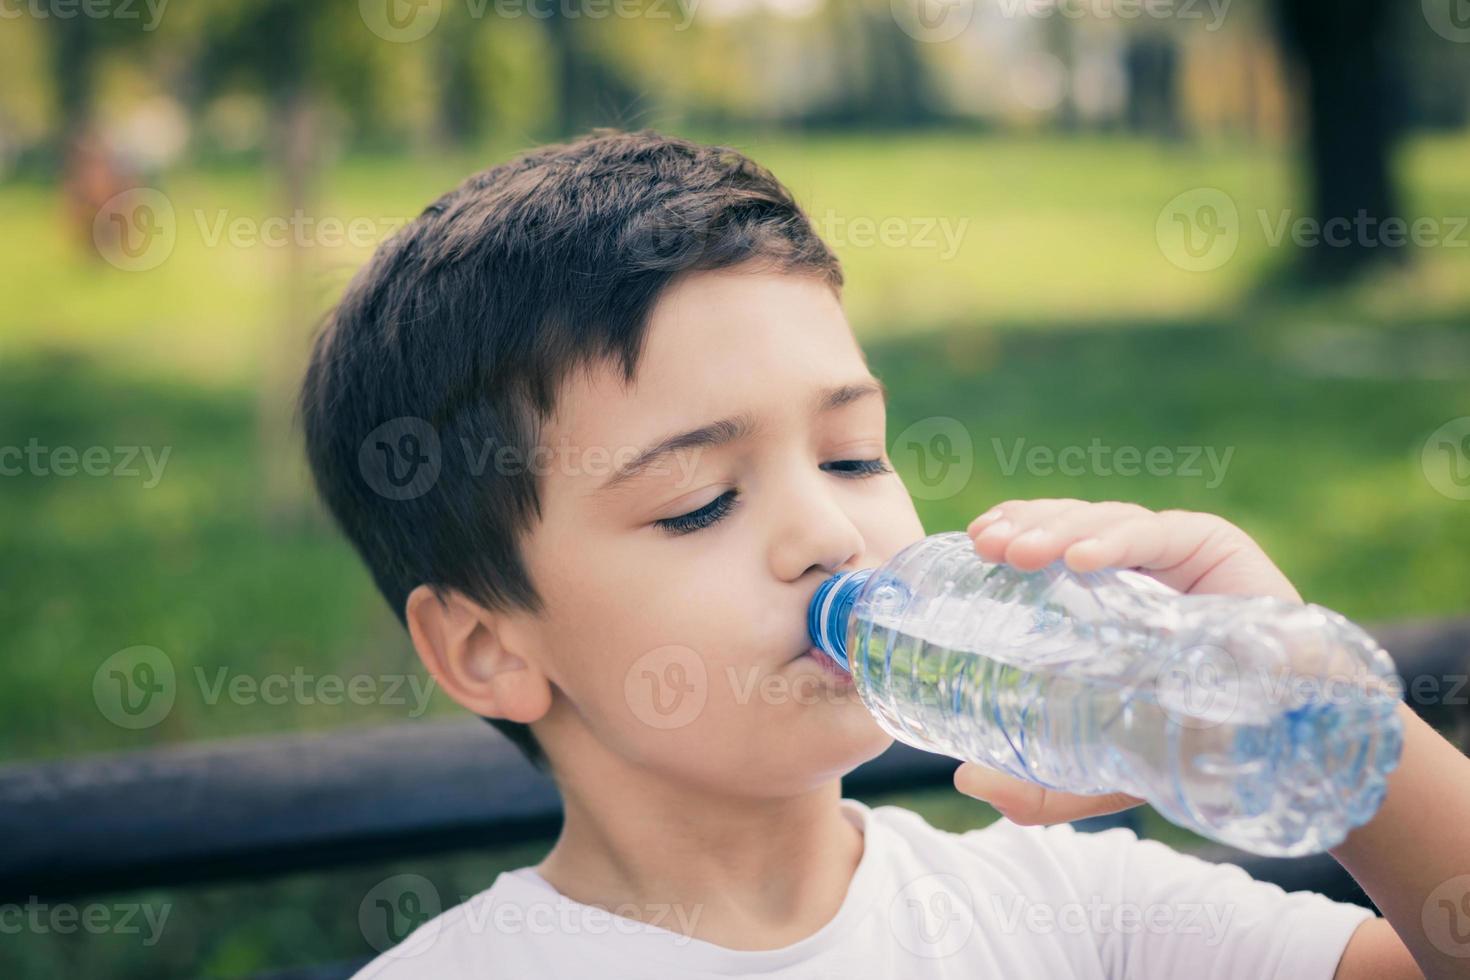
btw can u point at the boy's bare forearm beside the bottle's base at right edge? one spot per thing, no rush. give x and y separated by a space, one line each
1413 859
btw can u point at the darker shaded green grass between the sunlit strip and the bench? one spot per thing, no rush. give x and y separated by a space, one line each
1324 471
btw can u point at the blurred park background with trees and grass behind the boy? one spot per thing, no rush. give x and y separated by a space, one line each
1128 189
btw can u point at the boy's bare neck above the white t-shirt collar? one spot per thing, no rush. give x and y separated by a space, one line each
745 873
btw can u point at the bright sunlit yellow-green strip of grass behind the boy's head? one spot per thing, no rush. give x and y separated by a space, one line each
1055 233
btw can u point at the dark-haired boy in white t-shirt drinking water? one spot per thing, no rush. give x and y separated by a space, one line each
599 428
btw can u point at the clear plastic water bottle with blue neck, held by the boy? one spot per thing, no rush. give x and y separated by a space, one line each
1258 722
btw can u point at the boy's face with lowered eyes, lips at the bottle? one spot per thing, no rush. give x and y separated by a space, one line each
683 653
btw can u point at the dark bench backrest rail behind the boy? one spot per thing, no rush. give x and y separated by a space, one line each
254 809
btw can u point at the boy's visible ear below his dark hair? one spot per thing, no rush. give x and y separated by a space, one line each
464 647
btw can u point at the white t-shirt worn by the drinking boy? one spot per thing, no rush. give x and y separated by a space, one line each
1003 901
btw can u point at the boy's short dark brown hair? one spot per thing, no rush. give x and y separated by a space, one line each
451 346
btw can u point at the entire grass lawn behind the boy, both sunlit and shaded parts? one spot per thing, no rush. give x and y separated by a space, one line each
1058 323
